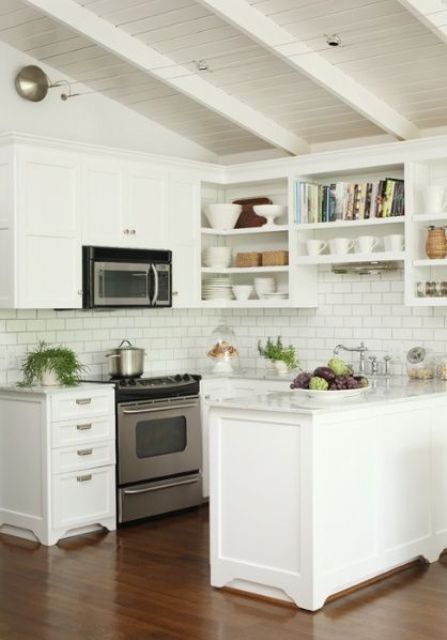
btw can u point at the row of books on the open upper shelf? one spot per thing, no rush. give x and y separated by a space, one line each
348 200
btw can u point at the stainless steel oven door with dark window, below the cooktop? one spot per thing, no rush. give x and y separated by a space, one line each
158 438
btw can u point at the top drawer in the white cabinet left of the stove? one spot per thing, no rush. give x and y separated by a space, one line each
79 406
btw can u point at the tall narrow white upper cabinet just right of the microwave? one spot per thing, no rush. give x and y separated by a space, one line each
183 239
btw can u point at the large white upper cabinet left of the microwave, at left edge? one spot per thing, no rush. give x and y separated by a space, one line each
40 228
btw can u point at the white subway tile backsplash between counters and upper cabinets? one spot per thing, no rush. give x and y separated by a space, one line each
351 308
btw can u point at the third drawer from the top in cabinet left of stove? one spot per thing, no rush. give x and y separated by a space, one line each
83 456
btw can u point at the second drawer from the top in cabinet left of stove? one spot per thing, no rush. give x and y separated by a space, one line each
82 430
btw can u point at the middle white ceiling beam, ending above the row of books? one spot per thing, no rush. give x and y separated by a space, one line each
295 52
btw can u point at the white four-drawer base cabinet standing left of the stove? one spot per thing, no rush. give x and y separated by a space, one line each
57 461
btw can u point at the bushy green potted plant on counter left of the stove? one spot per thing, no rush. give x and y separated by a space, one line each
51 366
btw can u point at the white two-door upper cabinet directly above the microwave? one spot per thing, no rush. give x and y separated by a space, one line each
124 204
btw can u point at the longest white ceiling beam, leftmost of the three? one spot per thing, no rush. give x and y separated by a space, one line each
168 71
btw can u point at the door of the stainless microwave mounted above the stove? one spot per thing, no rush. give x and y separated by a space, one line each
122 284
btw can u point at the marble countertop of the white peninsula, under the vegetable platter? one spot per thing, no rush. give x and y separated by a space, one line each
381 390
